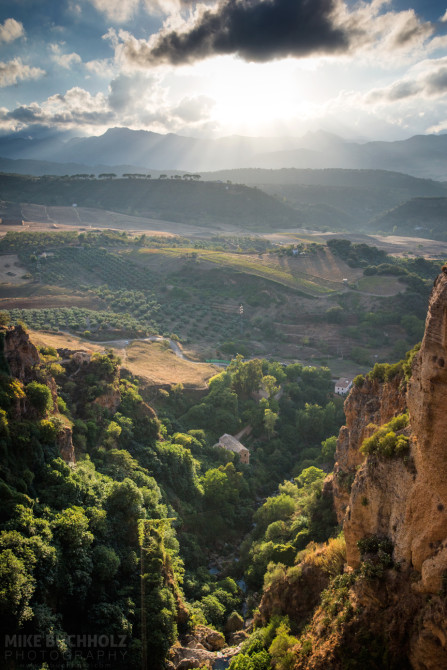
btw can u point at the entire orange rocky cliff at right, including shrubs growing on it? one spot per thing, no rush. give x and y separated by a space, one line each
393 506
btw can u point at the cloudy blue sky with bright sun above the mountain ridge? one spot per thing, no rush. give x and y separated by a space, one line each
362 70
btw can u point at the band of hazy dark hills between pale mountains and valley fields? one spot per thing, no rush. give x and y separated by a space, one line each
332 199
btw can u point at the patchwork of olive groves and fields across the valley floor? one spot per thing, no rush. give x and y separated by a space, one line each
301 301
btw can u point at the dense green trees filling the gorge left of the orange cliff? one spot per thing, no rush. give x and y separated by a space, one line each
115 545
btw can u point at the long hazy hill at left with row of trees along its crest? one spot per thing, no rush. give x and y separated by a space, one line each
174 200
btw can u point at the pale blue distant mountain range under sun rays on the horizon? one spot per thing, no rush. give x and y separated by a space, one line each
420 156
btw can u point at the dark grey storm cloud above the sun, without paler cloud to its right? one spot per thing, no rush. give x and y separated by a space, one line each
256 30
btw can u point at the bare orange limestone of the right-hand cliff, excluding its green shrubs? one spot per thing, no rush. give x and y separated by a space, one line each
403 499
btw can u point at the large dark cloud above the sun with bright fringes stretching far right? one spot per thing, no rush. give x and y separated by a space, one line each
265 30
